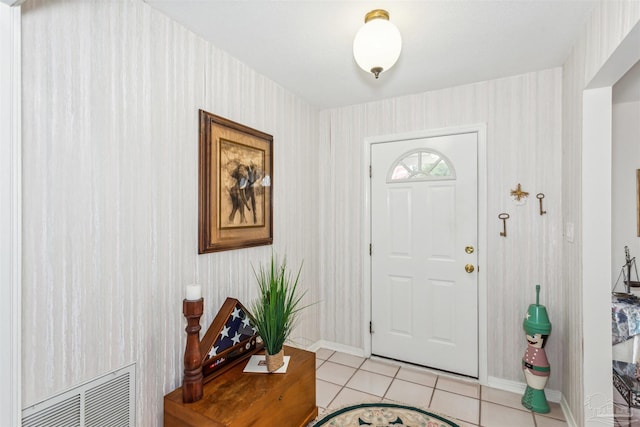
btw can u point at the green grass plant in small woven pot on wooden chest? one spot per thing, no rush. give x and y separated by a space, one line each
275 310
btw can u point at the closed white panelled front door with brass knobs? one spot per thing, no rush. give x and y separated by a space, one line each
424 236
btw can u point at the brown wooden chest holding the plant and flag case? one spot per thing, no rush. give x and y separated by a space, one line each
238 399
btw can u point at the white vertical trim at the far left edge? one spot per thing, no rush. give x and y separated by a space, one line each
11 214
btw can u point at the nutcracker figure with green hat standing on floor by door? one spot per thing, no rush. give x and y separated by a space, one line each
534 363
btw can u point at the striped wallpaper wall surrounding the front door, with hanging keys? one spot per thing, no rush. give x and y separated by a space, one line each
523 115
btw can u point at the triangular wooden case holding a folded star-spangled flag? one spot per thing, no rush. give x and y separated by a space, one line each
229 340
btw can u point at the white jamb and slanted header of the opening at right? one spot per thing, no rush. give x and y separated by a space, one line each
596 227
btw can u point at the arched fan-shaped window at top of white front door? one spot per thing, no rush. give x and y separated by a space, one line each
421 165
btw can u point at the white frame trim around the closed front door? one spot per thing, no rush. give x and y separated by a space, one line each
481 131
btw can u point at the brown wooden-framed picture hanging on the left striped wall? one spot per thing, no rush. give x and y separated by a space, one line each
234 179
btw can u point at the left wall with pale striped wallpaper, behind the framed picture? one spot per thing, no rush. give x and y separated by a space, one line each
111 97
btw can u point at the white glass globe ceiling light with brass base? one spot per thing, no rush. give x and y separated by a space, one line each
378 43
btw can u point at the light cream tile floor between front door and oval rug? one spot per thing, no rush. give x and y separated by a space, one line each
343 379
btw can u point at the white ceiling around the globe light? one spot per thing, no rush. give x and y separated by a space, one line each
306 46
